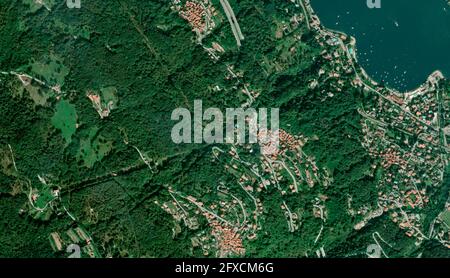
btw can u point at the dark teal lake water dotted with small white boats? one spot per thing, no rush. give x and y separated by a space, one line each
401 43
